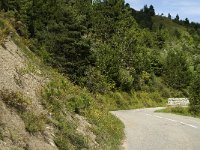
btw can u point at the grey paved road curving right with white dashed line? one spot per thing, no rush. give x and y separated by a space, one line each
147 130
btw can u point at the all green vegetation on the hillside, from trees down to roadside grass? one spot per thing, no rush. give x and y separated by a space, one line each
99 56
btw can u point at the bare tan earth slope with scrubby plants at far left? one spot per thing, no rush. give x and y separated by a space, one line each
15 86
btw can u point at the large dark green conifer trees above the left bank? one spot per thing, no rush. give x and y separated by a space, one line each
58 27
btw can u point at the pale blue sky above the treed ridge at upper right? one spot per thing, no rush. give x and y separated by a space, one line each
184 8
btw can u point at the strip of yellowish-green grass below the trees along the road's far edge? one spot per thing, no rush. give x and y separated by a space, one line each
122 100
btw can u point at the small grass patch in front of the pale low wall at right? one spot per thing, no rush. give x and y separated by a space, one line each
185 111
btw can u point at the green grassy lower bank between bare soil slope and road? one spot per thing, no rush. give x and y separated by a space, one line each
61 96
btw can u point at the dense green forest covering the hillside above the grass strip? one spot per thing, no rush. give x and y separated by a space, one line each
123 48
